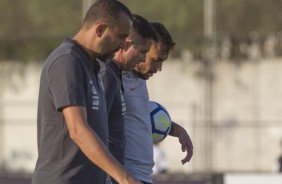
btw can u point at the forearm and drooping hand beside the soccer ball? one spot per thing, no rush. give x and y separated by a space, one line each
184 139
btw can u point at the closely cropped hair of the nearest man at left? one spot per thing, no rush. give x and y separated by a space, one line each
105 10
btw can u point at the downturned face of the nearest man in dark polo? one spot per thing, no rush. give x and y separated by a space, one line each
114 36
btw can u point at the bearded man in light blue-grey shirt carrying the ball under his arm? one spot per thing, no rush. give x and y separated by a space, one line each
138 131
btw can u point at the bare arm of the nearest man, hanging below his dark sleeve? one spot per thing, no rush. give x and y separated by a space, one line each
92 146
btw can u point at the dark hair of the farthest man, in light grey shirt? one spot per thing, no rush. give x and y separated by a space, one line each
163 35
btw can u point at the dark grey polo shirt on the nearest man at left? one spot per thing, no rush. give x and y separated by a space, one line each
67 79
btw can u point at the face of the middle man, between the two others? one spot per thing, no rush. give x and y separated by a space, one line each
137 48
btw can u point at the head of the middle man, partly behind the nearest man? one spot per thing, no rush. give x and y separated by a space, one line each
137 44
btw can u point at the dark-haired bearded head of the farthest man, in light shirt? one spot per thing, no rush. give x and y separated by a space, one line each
157 54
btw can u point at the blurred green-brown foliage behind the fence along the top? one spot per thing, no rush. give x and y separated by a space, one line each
30 29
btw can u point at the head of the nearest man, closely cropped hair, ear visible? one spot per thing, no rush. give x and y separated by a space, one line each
105 27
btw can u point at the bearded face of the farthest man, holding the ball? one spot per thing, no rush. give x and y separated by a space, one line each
157 54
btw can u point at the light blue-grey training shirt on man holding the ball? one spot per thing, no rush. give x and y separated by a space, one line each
138 129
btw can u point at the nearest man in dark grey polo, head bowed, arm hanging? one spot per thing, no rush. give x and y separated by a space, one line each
72 117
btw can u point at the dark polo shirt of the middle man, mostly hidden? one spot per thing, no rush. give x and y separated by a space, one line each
111 77
